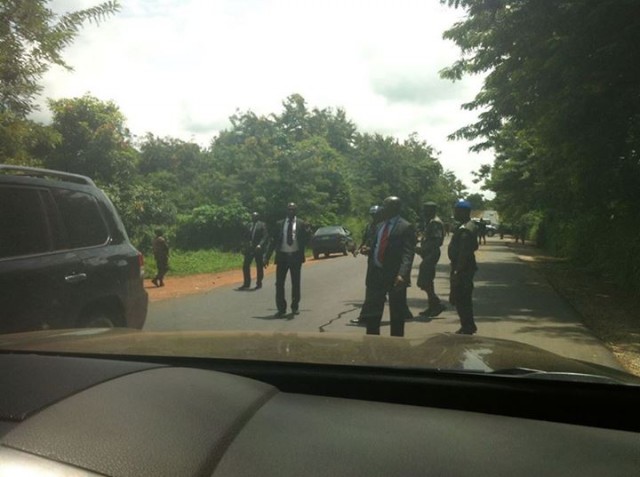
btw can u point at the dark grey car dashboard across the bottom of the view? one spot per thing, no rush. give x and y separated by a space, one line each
80 415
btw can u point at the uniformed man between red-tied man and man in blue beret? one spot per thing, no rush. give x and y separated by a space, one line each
431 238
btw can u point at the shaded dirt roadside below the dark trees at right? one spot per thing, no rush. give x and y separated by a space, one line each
610 313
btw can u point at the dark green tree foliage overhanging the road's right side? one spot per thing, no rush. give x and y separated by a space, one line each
560 108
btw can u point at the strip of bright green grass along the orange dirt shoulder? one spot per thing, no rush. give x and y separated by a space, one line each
182 263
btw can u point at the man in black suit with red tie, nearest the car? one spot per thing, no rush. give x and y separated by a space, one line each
389 270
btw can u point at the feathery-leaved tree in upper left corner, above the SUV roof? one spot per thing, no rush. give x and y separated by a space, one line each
32 38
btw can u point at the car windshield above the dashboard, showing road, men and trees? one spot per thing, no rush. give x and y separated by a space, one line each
482 155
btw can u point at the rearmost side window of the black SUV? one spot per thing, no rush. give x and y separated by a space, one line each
81 217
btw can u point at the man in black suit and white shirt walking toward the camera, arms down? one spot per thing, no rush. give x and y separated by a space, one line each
291 237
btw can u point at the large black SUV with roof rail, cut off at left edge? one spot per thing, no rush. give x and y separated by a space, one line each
65 258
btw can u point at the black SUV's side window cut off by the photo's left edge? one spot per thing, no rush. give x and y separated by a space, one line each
23 229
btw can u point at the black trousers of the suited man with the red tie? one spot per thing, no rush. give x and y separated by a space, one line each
375 298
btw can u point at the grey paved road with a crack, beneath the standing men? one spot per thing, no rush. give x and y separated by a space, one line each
512 301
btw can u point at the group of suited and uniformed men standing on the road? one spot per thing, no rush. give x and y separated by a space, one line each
390 243
